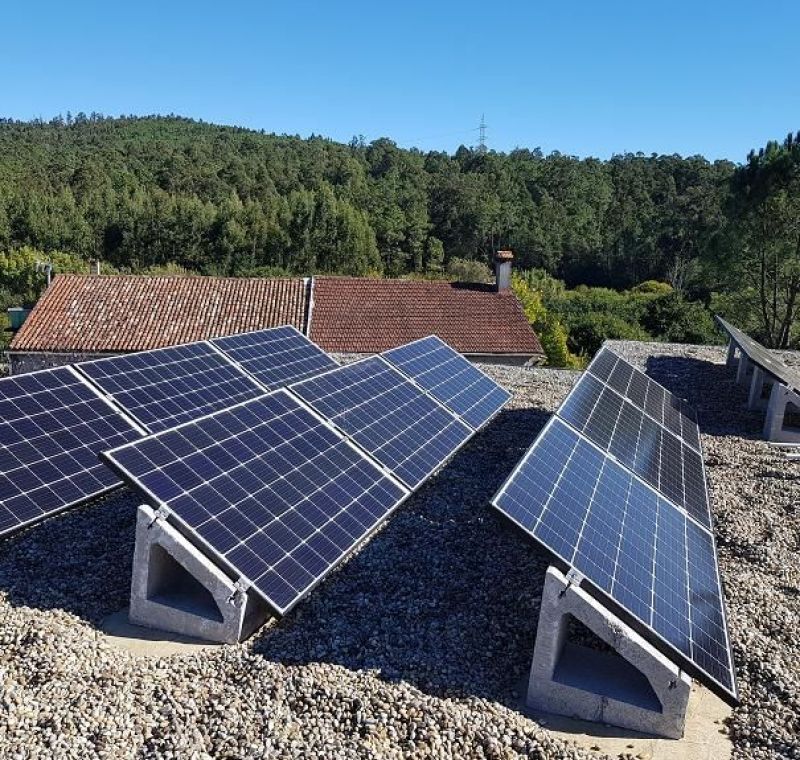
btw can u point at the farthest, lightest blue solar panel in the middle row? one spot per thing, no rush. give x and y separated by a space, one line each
450 378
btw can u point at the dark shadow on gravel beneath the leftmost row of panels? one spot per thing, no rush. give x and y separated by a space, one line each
78 561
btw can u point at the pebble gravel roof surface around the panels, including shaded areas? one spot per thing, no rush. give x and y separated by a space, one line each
418 645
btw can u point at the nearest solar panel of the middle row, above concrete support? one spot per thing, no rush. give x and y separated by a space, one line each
266 486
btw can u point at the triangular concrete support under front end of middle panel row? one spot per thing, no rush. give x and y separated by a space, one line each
175 587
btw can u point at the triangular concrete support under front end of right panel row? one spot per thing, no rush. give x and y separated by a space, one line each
640 689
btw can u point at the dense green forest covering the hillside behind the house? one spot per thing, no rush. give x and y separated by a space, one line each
139 193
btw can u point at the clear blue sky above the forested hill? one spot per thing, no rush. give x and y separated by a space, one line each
585 78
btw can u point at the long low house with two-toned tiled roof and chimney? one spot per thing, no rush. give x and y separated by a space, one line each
85 316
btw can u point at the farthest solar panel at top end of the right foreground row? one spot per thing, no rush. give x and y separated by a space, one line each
664 407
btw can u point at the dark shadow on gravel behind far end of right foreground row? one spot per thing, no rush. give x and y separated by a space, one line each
711 389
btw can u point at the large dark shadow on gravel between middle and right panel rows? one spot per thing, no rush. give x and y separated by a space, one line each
446 597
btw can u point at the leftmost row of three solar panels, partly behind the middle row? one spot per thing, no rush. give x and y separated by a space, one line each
92 404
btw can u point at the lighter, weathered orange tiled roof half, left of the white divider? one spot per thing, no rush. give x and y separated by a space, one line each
117 313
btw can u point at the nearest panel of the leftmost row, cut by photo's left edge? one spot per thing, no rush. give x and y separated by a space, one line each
52 427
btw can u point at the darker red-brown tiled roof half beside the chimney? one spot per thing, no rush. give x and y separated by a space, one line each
362 315
